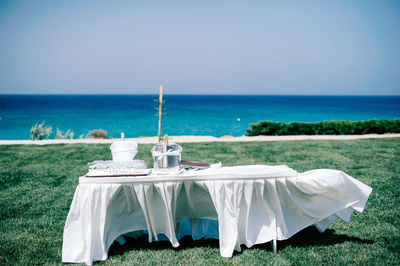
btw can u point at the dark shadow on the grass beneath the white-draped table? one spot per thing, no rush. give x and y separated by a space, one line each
308 237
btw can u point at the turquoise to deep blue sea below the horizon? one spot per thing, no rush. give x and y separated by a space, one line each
214 115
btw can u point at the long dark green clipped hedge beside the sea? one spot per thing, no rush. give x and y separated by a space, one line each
373 126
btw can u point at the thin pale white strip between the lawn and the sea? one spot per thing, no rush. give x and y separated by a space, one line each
194 139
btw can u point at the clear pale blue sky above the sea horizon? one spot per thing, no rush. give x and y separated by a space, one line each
200 47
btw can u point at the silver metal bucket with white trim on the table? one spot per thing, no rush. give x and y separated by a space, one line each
166 156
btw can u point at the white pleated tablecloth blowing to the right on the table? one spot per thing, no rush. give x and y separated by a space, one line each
239 205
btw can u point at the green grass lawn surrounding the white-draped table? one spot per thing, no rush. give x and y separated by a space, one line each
37 184
